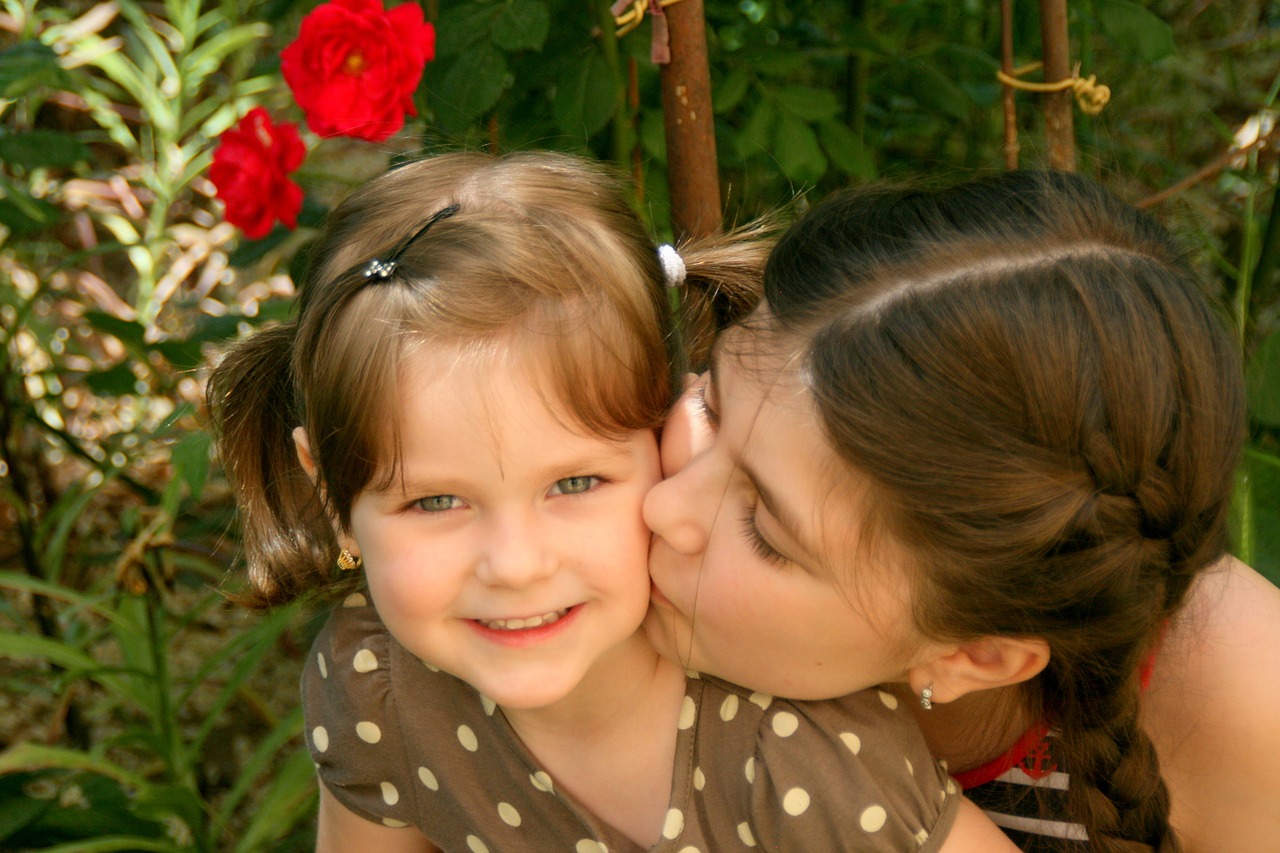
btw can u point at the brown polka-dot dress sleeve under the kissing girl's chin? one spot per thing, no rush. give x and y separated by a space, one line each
853 774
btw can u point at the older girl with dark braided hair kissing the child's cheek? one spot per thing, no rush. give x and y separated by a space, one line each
1000 421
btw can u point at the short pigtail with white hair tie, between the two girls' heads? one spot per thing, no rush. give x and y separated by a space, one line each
723 285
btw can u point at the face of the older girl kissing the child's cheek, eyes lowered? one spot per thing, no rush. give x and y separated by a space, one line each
753 559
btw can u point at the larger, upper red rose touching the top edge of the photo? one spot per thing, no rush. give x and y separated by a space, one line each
354 67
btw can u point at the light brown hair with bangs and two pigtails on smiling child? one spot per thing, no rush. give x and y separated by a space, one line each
543 254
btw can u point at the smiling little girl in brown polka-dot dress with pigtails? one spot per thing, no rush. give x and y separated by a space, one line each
465 405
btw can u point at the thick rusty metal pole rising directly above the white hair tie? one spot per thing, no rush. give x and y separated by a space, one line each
687 106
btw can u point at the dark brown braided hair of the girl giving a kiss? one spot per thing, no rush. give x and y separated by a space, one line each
1049 413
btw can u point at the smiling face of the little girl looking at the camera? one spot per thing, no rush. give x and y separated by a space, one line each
511 549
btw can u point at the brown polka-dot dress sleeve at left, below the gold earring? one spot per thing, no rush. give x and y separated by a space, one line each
350 719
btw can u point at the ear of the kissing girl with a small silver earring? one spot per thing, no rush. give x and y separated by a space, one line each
981 665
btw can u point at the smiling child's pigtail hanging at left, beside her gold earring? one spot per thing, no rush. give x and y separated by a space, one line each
289 542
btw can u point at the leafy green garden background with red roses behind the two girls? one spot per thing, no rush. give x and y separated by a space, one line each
140 710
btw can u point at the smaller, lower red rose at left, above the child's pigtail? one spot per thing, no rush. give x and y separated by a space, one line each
250 170
